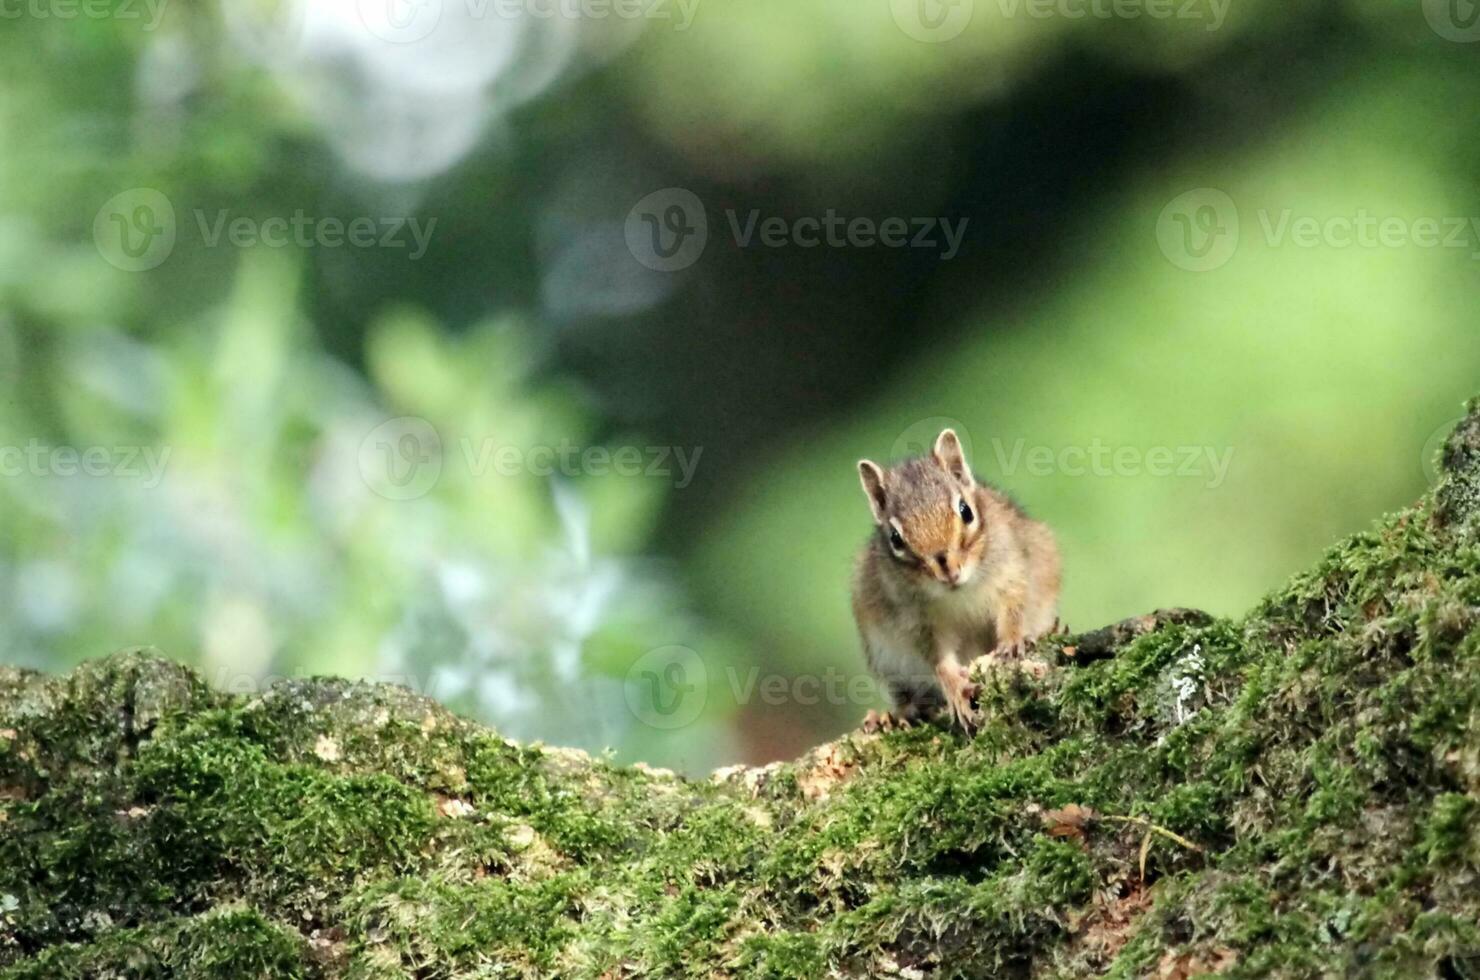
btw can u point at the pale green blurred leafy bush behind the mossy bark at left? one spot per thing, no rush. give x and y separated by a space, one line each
258 532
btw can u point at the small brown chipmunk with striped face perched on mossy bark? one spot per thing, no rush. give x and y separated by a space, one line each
955 569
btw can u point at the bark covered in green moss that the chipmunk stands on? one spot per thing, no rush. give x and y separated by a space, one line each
1293 794
